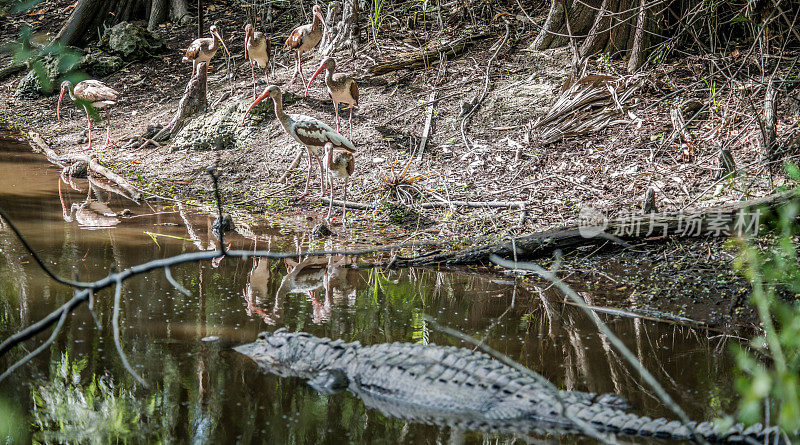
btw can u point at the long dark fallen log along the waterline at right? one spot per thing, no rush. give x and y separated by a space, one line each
736 219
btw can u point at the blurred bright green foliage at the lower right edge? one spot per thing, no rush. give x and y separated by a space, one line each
774 275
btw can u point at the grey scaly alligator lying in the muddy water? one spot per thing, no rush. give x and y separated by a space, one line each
463 389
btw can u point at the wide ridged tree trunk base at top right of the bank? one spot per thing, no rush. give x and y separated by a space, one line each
618 27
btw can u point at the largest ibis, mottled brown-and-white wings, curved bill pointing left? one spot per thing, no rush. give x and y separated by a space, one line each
306 130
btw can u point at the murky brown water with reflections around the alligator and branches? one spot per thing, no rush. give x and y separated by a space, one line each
78 391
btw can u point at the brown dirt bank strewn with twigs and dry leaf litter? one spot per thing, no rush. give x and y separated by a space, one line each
607 170
